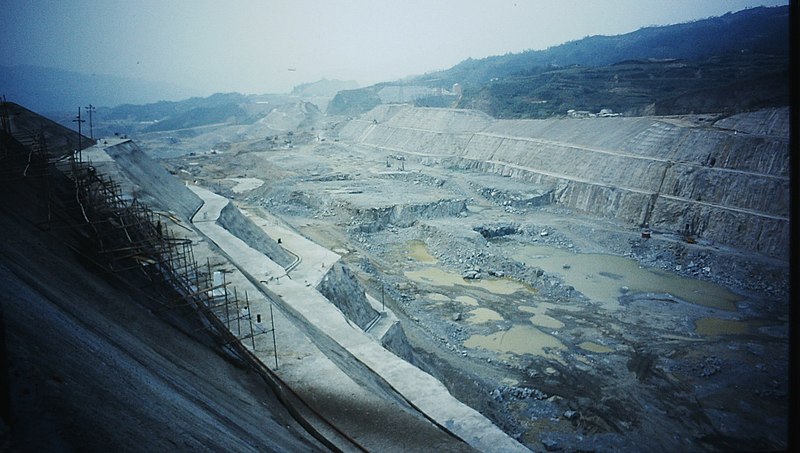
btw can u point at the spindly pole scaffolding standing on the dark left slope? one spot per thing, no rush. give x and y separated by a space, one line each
125 236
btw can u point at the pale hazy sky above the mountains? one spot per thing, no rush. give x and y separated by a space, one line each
269 46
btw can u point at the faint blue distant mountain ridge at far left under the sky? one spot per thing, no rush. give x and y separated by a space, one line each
44 89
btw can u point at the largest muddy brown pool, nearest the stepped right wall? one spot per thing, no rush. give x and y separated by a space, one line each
601 277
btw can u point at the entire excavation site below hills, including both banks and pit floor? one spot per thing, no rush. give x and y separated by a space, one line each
409 279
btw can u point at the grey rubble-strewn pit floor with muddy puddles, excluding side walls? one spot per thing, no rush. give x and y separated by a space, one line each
569 332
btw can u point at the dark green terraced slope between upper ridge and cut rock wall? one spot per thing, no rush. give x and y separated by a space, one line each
732 83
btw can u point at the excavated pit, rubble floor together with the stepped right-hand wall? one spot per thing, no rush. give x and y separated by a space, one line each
608 284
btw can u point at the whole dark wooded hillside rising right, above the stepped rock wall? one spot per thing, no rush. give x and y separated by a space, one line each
672 69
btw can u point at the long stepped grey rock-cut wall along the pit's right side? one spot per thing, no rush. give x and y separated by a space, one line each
724 180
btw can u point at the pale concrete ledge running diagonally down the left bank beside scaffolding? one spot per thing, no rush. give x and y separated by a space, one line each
361 357
